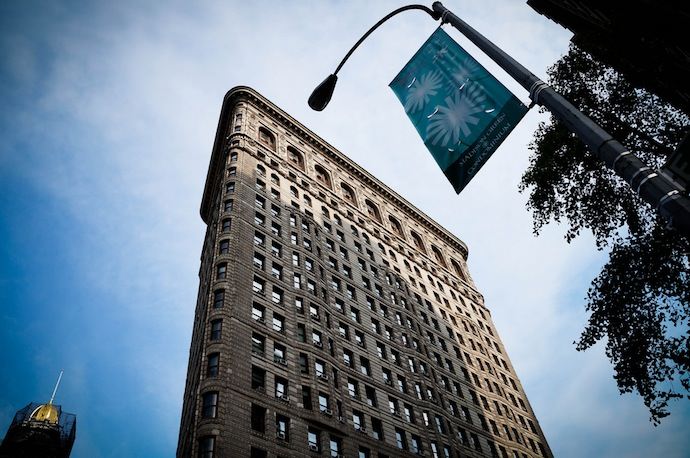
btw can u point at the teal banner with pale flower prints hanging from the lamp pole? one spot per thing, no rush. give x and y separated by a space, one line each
459 109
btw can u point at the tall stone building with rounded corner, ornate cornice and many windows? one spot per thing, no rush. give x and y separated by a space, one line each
333 317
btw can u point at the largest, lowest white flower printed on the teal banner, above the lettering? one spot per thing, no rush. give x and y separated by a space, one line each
448 123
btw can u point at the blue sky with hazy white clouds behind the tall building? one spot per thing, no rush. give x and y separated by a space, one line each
108 116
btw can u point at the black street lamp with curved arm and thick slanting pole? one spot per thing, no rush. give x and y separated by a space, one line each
652 186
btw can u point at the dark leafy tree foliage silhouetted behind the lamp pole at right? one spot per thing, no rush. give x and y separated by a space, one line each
639 303
